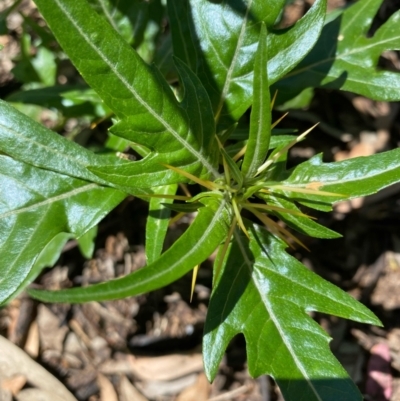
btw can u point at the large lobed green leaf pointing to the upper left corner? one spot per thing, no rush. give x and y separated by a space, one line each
133 89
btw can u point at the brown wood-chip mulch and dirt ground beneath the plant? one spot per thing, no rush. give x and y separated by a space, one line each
149 347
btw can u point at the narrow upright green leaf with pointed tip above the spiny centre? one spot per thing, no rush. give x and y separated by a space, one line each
260 119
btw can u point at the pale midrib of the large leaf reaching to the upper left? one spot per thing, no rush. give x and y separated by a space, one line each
198 156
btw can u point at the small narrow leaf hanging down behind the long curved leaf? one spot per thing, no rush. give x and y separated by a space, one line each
157 222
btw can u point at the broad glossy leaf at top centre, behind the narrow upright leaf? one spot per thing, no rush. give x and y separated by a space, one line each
218 40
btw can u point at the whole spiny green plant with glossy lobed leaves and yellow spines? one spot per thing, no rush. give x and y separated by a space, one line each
229 57
